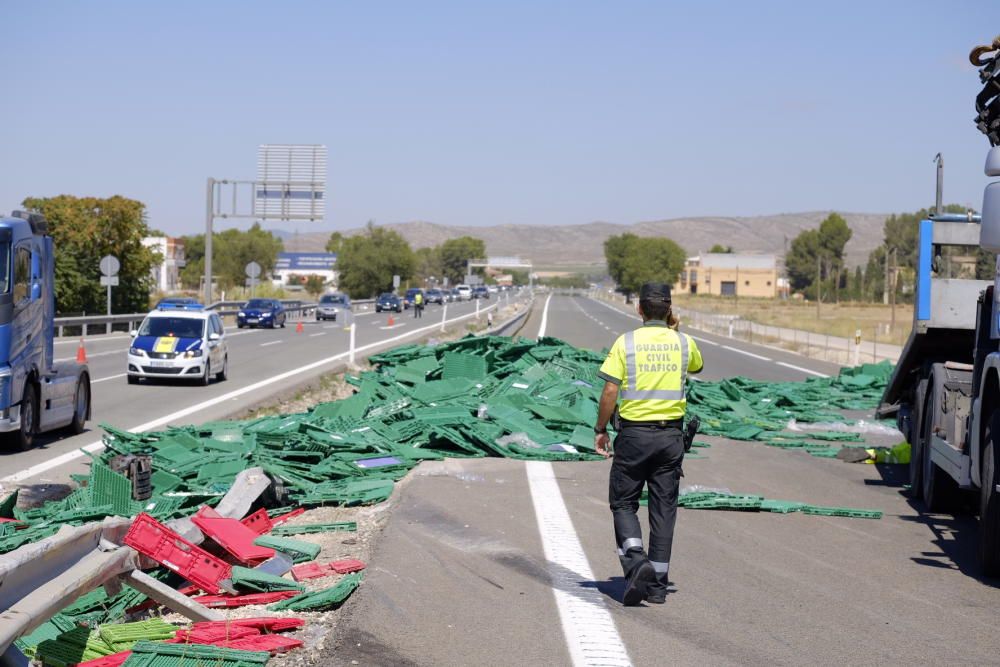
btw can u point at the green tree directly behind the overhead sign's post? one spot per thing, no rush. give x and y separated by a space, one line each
232 250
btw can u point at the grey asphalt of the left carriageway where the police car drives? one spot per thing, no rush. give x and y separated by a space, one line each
263 364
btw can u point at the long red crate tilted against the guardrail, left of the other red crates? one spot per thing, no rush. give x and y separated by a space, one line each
150 537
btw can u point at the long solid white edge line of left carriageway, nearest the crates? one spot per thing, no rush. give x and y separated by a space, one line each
198 407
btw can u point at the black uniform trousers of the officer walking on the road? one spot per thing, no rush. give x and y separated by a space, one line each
650 456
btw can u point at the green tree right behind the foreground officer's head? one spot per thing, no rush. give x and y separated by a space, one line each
634 260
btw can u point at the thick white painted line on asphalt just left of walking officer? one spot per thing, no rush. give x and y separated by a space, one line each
589 629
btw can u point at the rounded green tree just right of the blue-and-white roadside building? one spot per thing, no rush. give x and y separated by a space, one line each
368 261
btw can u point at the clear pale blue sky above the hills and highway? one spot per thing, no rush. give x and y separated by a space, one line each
504 112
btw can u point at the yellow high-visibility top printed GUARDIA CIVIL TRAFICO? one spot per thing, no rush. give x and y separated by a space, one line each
650 366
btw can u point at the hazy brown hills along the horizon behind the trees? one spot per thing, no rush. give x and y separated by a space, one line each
554 246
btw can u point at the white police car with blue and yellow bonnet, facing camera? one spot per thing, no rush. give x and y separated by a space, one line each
185 343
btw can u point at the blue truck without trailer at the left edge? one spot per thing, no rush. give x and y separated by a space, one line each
37 394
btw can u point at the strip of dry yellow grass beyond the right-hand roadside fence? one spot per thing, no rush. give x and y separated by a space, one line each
834 319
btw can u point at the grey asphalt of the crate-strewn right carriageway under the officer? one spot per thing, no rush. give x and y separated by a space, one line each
488 562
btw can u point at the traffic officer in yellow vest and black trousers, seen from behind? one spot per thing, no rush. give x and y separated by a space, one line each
646 370
